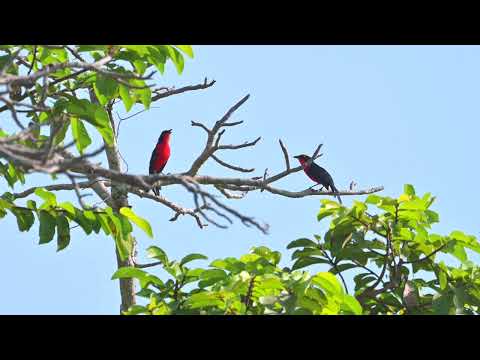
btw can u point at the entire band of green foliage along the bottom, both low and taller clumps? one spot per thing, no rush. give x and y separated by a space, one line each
387 243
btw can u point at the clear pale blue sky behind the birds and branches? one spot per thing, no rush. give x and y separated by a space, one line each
387 115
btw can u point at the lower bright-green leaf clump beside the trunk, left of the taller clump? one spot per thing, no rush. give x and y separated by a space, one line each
252 284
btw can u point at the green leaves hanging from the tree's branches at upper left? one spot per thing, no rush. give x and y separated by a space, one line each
72 108
